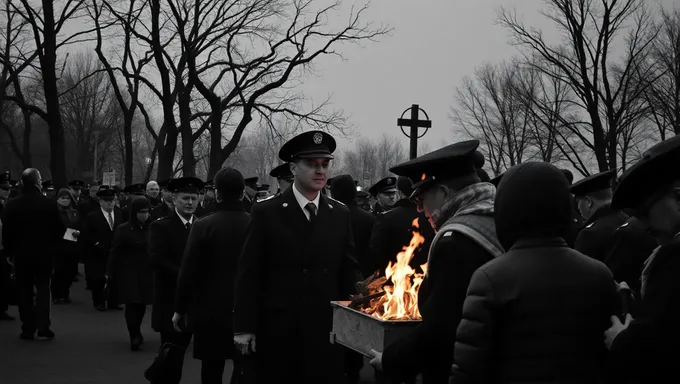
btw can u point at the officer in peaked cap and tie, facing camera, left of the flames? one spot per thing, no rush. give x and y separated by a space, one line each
298 256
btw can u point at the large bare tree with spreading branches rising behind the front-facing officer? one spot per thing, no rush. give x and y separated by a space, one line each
290 36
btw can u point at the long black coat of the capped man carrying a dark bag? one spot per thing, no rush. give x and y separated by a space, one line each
167 239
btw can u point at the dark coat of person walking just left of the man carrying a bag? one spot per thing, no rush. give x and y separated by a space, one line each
130 265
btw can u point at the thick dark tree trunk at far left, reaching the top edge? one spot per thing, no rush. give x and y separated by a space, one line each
48 64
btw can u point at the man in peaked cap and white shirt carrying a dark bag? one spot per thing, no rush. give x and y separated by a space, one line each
167 240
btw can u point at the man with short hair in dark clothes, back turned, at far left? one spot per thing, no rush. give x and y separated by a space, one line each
31 230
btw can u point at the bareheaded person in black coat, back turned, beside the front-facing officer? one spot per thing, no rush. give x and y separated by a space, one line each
205 286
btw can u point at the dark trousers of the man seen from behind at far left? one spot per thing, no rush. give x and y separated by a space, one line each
34 315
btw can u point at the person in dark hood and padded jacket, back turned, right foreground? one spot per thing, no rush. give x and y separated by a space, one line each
536 313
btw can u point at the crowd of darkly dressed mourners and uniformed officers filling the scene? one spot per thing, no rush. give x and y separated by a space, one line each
530 277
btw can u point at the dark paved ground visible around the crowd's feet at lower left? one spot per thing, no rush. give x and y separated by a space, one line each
90 348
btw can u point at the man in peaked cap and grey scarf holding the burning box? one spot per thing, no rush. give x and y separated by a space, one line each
461 210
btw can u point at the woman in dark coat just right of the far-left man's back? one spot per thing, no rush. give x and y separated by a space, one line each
67 250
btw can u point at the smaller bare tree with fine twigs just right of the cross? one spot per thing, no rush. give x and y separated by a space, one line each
491 110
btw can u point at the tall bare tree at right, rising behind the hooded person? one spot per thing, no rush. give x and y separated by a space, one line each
605 87
